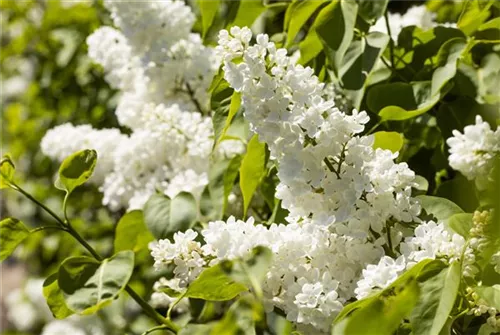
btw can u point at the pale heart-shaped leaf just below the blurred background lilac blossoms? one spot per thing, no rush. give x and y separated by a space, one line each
165 216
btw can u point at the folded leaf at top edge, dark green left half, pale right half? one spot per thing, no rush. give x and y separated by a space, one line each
336 29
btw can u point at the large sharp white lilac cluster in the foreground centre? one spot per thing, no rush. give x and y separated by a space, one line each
340 192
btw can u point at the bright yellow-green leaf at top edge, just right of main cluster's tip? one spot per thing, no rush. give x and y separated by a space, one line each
296 16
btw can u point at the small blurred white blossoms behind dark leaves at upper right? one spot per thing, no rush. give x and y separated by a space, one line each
418 16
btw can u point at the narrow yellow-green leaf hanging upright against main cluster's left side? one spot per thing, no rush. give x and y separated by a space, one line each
252 170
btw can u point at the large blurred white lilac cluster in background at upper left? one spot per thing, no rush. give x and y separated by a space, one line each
163 72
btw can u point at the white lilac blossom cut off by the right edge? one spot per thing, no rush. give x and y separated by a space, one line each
472 153
